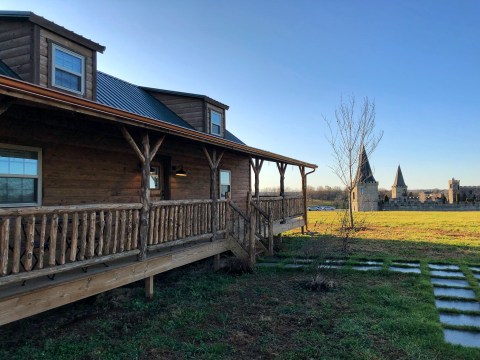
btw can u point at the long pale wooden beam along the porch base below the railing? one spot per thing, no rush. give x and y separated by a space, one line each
65 289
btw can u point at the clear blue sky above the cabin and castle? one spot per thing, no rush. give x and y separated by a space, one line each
282 65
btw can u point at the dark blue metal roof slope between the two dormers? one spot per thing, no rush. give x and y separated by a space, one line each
128 97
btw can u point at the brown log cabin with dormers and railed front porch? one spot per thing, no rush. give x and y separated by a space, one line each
103 183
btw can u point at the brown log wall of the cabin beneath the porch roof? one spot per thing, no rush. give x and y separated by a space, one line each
86 162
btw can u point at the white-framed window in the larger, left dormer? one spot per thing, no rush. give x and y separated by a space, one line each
67 69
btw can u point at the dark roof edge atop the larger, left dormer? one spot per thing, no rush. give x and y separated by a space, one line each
49 25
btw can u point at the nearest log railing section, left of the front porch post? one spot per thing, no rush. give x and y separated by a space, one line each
47 240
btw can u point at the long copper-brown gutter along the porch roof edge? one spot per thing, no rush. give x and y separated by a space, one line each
37 94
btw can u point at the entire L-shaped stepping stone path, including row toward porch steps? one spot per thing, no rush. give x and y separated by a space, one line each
451 289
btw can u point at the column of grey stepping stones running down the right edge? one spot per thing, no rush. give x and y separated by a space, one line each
453 292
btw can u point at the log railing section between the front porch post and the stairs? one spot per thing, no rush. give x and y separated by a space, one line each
176 221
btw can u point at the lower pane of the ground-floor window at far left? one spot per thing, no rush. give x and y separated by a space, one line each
18 190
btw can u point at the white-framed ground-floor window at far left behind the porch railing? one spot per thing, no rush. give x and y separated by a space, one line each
20 174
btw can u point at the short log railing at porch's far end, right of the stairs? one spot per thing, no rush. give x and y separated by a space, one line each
282 208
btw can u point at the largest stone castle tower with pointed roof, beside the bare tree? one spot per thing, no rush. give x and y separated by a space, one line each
365 193
